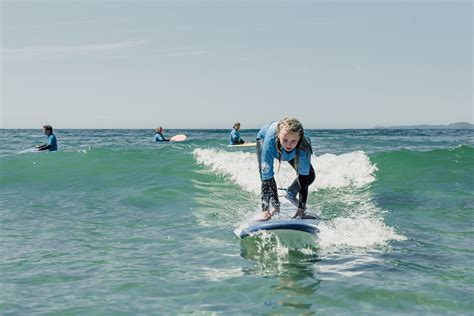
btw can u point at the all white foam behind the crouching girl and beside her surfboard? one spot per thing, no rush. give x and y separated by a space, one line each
358 223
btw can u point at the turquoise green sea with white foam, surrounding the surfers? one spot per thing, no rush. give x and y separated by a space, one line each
116 224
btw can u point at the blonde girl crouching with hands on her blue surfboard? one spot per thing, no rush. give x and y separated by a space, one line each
284 140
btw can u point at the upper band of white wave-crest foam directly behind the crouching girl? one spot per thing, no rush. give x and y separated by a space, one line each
332 171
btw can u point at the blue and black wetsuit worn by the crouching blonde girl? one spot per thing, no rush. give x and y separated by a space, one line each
267 152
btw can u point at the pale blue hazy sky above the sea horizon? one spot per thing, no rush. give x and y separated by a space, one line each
207 64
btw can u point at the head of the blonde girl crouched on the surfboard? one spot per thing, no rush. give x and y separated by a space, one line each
289 132
